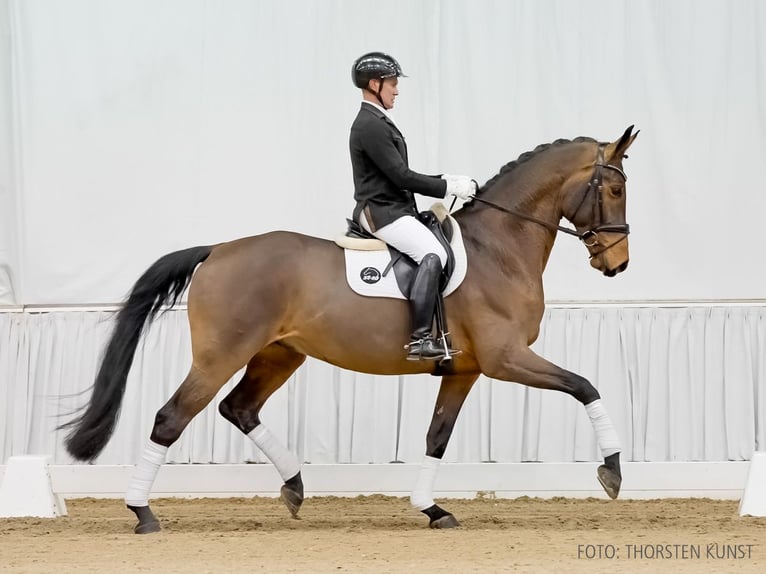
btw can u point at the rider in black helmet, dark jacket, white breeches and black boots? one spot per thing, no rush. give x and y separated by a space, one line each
383 189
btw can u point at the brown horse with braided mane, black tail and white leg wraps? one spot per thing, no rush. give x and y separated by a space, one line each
264 303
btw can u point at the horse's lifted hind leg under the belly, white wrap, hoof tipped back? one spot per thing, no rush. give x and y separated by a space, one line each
265 373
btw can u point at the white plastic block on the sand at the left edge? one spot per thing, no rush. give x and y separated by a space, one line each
26 489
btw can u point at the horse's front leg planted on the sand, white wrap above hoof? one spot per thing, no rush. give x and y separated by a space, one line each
452 393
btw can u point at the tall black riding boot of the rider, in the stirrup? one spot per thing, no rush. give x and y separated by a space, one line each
423 293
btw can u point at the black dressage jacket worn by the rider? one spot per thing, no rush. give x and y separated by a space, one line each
383 182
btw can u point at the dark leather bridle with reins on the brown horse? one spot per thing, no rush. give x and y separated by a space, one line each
589 237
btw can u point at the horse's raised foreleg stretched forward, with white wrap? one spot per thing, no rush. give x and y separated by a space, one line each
526 367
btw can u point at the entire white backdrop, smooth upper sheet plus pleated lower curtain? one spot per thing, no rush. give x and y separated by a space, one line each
131 128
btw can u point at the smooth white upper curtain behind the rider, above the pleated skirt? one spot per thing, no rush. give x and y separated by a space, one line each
144 126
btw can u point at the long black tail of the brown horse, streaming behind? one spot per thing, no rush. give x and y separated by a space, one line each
161 284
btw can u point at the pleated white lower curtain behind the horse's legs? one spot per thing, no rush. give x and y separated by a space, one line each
681 384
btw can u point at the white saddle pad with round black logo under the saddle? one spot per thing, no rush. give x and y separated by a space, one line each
364 270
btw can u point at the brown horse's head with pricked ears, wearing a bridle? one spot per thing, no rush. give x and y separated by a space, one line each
596 207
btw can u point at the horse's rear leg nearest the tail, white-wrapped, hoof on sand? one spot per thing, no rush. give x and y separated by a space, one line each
195 392
